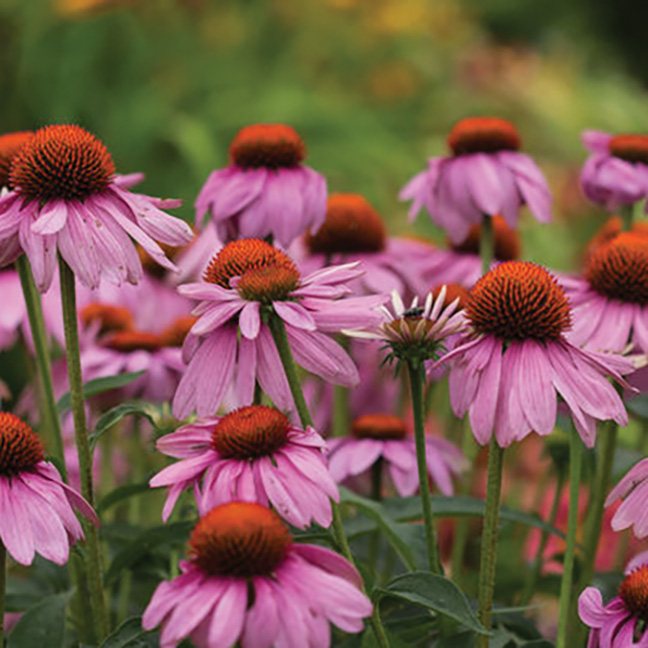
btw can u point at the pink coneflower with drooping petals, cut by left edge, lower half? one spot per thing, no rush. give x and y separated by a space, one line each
36 507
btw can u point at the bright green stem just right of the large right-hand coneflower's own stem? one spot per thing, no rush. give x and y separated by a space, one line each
575 462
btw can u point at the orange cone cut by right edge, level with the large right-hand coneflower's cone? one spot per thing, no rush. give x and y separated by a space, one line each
619 268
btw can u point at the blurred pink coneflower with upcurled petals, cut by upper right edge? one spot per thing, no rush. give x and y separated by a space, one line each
616 173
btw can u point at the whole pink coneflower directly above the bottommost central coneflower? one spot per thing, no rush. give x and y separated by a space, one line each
252 454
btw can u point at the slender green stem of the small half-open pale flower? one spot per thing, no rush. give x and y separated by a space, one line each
416 390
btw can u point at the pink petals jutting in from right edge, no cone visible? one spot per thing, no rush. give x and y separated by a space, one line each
633 489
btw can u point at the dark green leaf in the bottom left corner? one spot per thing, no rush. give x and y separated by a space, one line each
43 625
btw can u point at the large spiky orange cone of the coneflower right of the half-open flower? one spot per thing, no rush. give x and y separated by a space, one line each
519 300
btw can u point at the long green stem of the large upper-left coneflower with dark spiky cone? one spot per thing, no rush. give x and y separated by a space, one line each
93 555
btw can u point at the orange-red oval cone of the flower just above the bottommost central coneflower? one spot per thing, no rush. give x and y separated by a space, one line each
250 432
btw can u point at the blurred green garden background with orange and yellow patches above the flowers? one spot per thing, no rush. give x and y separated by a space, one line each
372 85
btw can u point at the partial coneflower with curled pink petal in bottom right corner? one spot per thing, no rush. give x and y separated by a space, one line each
621 623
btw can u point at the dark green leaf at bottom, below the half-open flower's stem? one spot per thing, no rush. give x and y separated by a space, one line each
435 593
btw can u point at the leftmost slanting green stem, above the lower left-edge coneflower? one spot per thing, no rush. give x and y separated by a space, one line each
43 365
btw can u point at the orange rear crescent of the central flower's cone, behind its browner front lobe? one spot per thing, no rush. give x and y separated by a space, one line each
237 257
